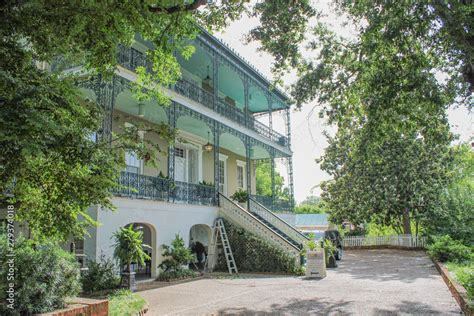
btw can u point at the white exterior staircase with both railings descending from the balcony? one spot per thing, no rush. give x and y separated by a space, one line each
265 224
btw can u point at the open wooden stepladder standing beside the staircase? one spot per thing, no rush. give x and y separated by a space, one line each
220 240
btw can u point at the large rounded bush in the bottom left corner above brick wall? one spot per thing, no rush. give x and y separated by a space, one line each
45 276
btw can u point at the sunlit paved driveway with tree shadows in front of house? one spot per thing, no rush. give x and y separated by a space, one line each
367 282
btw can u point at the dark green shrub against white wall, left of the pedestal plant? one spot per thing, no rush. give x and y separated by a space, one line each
100 275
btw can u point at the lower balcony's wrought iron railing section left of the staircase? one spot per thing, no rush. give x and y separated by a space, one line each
156 188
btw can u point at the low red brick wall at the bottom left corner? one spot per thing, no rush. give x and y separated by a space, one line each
84 307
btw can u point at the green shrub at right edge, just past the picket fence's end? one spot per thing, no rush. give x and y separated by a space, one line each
446 249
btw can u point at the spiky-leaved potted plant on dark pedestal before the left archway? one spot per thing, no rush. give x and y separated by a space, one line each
128 244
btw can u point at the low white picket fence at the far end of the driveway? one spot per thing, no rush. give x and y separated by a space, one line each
407 241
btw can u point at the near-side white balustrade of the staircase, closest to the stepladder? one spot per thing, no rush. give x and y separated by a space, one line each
239 216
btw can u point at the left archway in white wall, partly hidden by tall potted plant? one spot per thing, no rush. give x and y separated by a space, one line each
148 270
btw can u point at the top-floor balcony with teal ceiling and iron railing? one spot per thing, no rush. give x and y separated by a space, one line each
220 85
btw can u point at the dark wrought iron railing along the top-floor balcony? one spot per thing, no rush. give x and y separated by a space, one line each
131 58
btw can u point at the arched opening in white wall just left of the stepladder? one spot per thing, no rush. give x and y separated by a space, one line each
199 240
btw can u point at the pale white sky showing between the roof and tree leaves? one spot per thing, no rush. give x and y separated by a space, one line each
308 142
